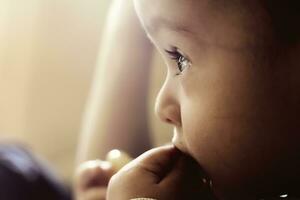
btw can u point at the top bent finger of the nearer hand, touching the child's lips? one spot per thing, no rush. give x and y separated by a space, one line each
156 162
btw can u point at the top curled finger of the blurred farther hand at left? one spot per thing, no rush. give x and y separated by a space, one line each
93 173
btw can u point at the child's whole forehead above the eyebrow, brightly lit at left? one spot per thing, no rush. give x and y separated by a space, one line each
225 23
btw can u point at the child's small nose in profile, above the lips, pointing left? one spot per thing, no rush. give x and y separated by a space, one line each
167 106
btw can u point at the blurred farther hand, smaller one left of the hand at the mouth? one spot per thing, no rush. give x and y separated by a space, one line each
91 180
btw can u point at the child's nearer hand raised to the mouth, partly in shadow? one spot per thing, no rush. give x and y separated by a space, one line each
162 173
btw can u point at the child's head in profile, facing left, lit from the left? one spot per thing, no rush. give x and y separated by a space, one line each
232 90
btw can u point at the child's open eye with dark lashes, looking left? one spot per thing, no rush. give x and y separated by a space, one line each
182 61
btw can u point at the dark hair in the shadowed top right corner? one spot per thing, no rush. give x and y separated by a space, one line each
285 19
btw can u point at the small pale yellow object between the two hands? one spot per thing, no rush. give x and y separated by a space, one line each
118 159
